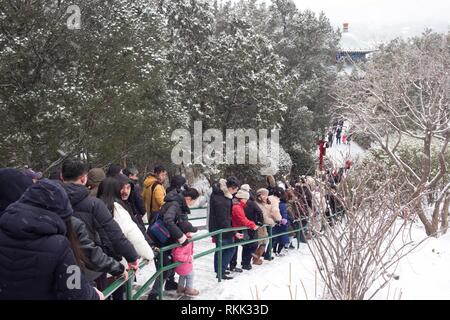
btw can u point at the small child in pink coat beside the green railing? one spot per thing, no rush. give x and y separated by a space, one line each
185 254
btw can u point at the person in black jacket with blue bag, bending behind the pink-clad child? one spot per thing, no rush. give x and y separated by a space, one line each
174 211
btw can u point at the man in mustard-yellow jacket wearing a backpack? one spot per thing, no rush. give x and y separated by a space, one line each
154 192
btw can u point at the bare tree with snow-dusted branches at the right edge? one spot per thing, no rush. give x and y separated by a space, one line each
404 92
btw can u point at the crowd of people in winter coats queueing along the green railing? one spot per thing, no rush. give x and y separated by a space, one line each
87 223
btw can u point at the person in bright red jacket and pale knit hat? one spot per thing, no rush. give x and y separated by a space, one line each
239 219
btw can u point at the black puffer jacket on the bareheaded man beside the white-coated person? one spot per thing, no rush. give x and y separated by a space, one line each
101 227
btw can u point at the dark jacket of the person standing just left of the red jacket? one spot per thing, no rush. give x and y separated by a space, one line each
220 205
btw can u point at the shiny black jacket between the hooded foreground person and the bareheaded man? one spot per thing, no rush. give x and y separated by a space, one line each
99 262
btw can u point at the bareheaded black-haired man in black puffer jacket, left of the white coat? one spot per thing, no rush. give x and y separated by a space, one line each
102 228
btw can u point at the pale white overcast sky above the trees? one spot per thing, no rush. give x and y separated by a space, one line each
378 20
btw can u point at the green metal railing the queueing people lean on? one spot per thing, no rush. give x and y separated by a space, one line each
160 272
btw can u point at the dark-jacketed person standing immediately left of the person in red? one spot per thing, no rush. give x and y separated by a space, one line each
220 205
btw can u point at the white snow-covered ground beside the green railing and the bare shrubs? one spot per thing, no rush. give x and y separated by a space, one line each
422 274
